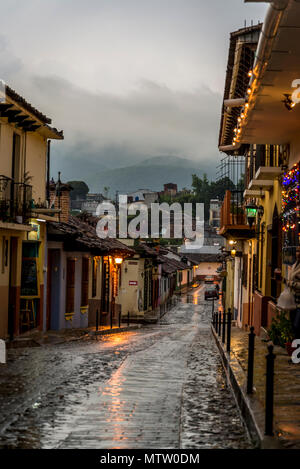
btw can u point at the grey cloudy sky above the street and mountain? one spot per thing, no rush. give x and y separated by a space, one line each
125 79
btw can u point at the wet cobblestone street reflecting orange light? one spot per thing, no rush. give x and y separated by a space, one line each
158 387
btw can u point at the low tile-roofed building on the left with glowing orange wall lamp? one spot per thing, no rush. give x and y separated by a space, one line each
84 275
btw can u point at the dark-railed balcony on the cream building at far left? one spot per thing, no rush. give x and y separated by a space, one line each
15 201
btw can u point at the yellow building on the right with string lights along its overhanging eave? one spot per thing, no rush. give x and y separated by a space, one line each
260 121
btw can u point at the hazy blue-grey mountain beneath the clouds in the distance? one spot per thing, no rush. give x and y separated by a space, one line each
151 173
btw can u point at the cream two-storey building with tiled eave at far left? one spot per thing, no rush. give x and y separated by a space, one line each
25 135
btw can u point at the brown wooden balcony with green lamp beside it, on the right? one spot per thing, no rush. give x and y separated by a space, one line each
233 217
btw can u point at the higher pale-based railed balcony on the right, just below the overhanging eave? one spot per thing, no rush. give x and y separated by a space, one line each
264 168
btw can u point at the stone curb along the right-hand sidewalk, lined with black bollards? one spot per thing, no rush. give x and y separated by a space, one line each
251 409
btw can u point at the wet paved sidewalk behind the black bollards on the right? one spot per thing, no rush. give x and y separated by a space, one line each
286 388
